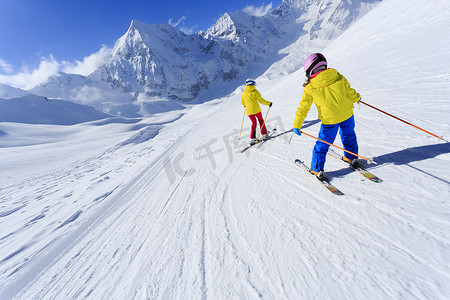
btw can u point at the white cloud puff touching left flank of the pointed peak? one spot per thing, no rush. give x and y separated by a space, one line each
89 64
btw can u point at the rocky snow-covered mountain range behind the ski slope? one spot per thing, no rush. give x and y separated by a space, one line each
161 61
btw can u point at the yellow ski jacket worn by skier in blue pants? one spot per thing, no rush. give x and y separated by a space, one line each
332 95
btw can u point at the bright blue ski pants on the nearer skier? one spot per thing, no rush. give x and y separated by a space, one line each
328 133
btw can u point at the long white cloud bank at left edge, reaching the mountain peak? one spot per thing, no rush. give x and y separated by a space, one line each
27 79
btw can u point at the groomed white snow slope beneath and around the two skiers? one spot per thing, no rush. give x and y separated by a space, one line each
165 207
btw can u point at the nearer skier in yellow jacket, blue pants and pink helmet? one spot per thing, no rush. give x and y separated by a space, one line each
334 99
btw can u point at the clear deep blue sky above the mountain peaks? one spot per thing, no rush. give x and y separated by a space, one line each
64 33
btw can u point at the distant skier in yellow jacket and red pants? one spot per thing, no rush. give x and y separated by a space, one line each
250 100
